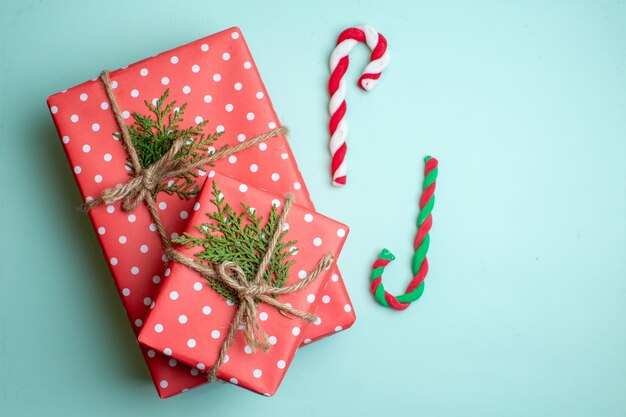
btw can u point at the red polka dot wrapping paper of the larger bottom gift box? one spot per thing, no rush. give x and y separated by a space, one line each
217 82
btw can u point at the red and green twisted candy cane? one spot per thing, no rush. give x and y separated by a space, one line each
421 244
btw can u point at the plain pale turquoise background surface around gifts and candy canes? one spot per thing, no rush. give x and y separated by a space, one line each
524 104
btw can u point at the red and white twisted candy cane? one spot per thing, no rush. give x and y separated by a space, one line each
339 61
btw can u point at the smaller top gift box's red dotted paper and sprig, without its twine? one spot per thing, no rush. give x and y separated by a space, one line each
191 318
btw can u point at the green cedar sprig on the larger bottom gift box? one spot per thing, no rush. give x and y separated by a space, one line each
153 134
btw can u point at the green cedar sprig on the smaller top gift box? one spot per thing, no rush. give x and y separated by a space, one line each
242 238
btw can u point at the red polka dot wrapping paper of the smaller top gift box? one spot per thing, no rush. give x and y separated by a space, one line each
190 320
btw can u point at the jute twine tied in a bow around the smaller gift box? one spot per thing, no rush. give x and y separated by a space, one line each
253 291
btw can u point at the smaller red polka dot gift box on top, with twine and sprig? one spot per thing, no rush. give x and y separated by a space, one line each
195 312
